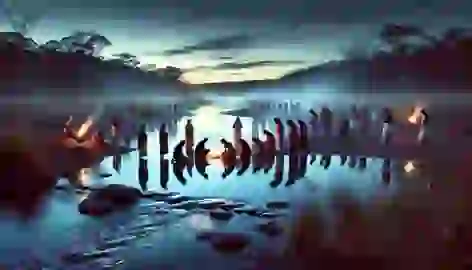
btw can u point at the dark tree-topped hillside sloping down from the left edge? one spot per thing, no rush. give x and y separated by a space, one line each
29 69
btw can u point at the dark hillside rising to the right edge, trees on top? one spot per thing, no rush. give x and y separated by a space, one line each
442 65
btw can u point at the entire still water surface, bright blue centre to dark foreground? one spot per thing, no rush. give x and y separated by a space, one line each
412 217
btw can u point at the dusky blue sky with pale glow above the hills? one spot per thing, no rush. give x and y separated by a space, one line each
227 40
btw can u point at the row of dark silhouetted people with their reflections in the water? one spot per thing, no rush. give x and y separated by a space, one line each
263 155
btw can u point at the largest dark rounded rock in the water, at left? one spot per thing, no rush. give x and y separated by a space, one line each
109 199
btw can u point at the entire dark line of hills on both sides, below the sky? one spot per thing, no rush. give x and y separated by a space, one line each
73 66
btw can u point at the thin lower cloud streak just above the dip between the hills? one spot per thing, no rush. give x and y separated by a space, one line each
247 65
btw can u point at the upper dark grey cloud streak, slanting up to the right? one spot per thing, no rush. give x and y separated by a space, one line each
237 41
